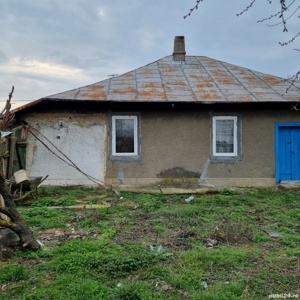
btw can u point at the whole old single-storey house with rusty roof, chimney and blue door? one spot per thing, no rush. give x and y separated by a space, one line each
181 120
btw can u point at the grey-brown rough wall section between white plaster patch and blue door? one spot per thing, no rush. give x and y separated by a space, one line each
176 148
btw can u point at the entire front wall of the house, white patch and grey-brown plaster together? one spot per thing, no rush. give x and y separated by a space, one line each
175 147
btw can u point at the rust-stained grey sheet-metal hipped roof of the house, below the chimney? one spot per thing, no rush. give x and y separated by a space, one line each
198 79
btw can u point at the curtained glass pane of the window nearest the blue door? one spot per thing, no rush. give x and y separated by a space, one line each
224 136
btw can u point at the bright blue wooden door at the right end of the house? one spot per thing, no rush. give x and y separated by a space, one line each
288 153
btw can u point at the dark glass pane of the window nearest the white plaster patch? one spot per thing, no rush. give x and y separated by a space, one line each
124 135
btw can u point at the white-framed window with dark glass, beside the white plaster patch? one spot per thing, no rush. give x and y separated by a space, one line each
124 135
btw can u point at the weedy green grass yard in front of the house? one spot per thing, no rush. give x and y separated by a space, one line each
155 246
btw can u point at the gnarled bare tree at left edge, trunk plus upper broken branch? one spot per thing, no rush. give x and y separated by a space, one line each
9 215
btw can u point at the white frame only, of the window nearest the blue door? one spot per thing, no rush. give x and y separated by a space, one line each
235 136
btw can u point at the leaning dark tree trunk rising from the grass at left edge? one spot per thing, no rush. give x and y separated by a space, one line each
15 221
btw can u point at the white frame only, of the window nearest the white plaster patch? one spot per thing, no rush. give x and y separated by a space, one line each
114 150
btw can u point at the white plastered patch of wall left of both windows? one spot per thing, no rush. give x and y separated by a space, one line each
83 143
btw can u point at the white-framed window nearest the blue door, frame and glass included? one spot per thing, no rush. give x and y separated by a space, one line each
225 136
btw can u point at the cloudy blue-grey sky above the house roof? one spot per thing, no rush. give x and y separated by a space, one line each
51 46
